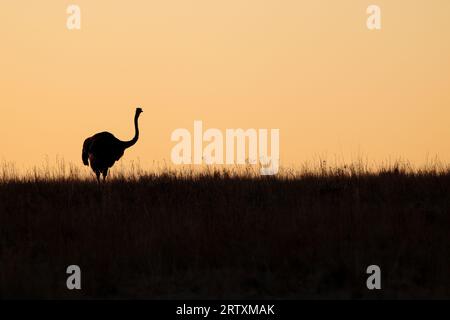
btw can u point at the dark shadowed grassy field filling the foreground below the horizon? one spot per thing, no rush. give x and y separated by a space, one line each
227 237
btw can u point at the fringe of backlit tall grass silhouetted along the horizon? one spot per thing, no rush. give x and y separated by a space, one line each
61 170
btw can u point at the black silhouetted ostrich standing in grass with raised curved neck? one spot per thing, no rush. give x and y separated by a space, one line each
103 149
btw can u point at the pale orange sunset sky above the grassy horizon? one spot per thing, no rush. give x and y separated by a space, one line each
308 67
